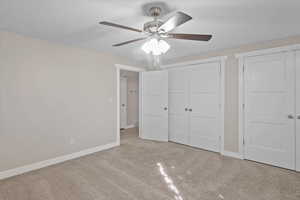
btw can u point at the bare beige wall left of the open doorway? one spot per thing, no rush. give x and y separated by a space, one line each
54 100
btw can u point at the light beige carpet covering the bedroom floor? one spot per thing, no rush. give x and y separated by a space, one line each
147 170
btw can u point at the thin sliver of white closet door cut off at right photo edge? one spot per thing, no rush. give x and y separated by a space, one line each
298 110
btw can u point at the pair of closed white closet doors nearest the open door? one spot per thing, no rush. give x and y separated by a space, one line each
194 106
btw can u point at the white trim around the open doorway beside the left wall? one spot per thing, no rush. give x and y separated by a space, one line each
120 67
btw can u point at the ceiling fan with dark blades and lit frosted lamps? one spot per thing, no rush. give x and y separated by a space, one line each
157 30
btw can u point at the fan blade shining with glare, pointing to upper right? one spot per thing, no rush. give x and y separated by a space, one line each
176 20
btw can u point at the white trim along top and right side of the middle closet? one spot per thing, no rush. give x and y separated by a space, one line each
221 60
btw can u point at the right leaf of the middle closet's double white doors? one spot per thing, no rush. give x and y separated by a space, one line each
204 109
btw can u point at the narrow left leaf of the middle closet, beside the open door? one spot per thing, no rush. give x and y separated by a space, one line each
178 112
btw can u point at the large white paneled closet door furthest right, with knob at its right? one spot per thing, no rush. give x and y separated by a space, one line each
269 109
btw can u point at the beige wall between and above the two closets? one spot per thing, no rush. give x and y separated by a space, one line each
231 83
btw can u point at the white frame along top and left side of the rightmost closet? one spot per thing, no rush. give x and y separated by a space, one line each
241 98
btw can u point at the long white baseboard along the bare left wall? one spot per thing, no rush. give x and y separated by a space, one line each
53 161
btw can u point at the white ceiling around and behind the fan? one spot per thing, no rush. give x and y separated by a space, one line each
75 22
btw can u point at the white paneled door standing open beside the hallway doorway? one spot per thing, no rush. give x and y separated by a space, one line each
154 105
